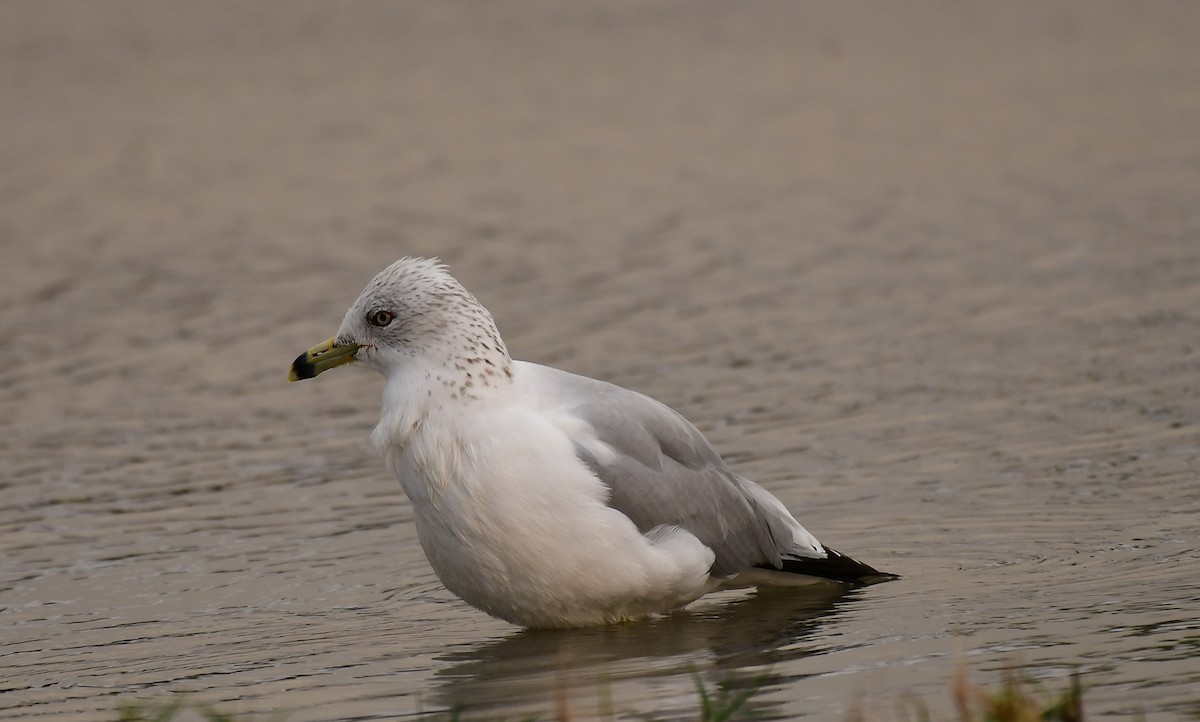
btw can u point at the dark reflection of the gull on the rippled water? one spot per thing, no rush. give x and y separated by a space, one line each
537 669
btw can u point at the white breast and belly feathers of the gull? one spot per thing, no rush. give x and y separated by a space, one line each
513 524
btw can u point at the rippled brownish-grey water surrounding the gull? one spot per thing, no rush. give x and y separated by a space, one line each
931 276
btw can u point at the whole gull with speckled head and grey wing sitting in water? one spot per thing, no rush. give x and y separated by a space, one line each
550 500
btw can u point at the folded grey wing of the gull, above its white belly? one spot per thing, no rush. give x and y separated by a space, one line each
664 472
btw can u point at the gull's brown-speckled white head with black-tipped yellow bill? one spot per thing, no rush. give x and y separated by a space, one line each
413 310
